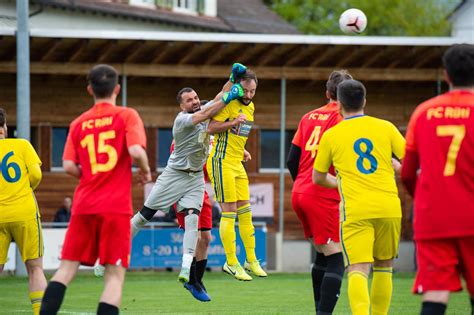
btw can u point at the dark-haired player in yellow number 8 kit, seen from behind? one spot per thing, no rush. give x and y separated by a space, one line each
361 149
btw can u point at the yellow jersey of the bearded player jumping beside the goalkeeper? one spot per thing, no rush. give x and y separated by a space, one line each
229 145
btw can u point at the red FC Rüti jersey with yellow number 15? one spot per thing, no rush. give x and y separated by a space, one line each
98 141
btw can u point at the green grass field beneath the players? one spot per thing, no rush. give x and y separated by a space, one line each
159 292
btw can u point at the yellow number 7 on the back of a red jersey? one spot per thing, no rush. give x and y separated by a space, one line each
457 132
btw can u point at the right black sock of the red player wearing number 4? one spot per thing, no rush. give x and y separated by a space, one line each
331 284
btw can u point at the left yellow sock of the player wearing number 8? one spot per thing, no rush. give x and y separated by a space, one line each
358 292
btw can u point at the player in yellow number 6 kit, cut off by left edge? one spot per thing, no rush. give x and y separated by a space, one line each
20 174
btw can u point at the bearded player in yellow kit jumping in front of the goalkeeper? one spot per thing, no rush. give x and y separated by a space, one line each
231 127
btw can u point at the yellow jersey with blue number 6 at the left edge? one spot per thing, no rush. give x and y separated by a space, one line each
17 201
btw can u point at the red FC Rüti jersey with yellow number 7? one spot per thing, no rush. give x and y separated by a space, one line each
441 137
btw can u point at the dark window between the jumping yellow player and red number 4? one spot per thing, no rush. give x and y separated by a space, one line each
270 147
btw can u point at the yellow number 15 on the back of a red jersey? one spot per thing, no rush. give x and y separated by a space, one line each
102 148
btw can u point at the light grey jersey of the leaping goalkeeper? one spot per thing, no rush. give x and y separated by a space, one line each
191 143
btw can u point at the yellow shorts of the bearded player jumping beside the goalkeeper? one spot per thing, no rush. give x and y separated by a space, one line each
229 179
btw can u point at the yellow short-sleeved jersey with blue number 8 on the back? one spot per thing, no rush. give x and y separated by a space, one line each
361 149
